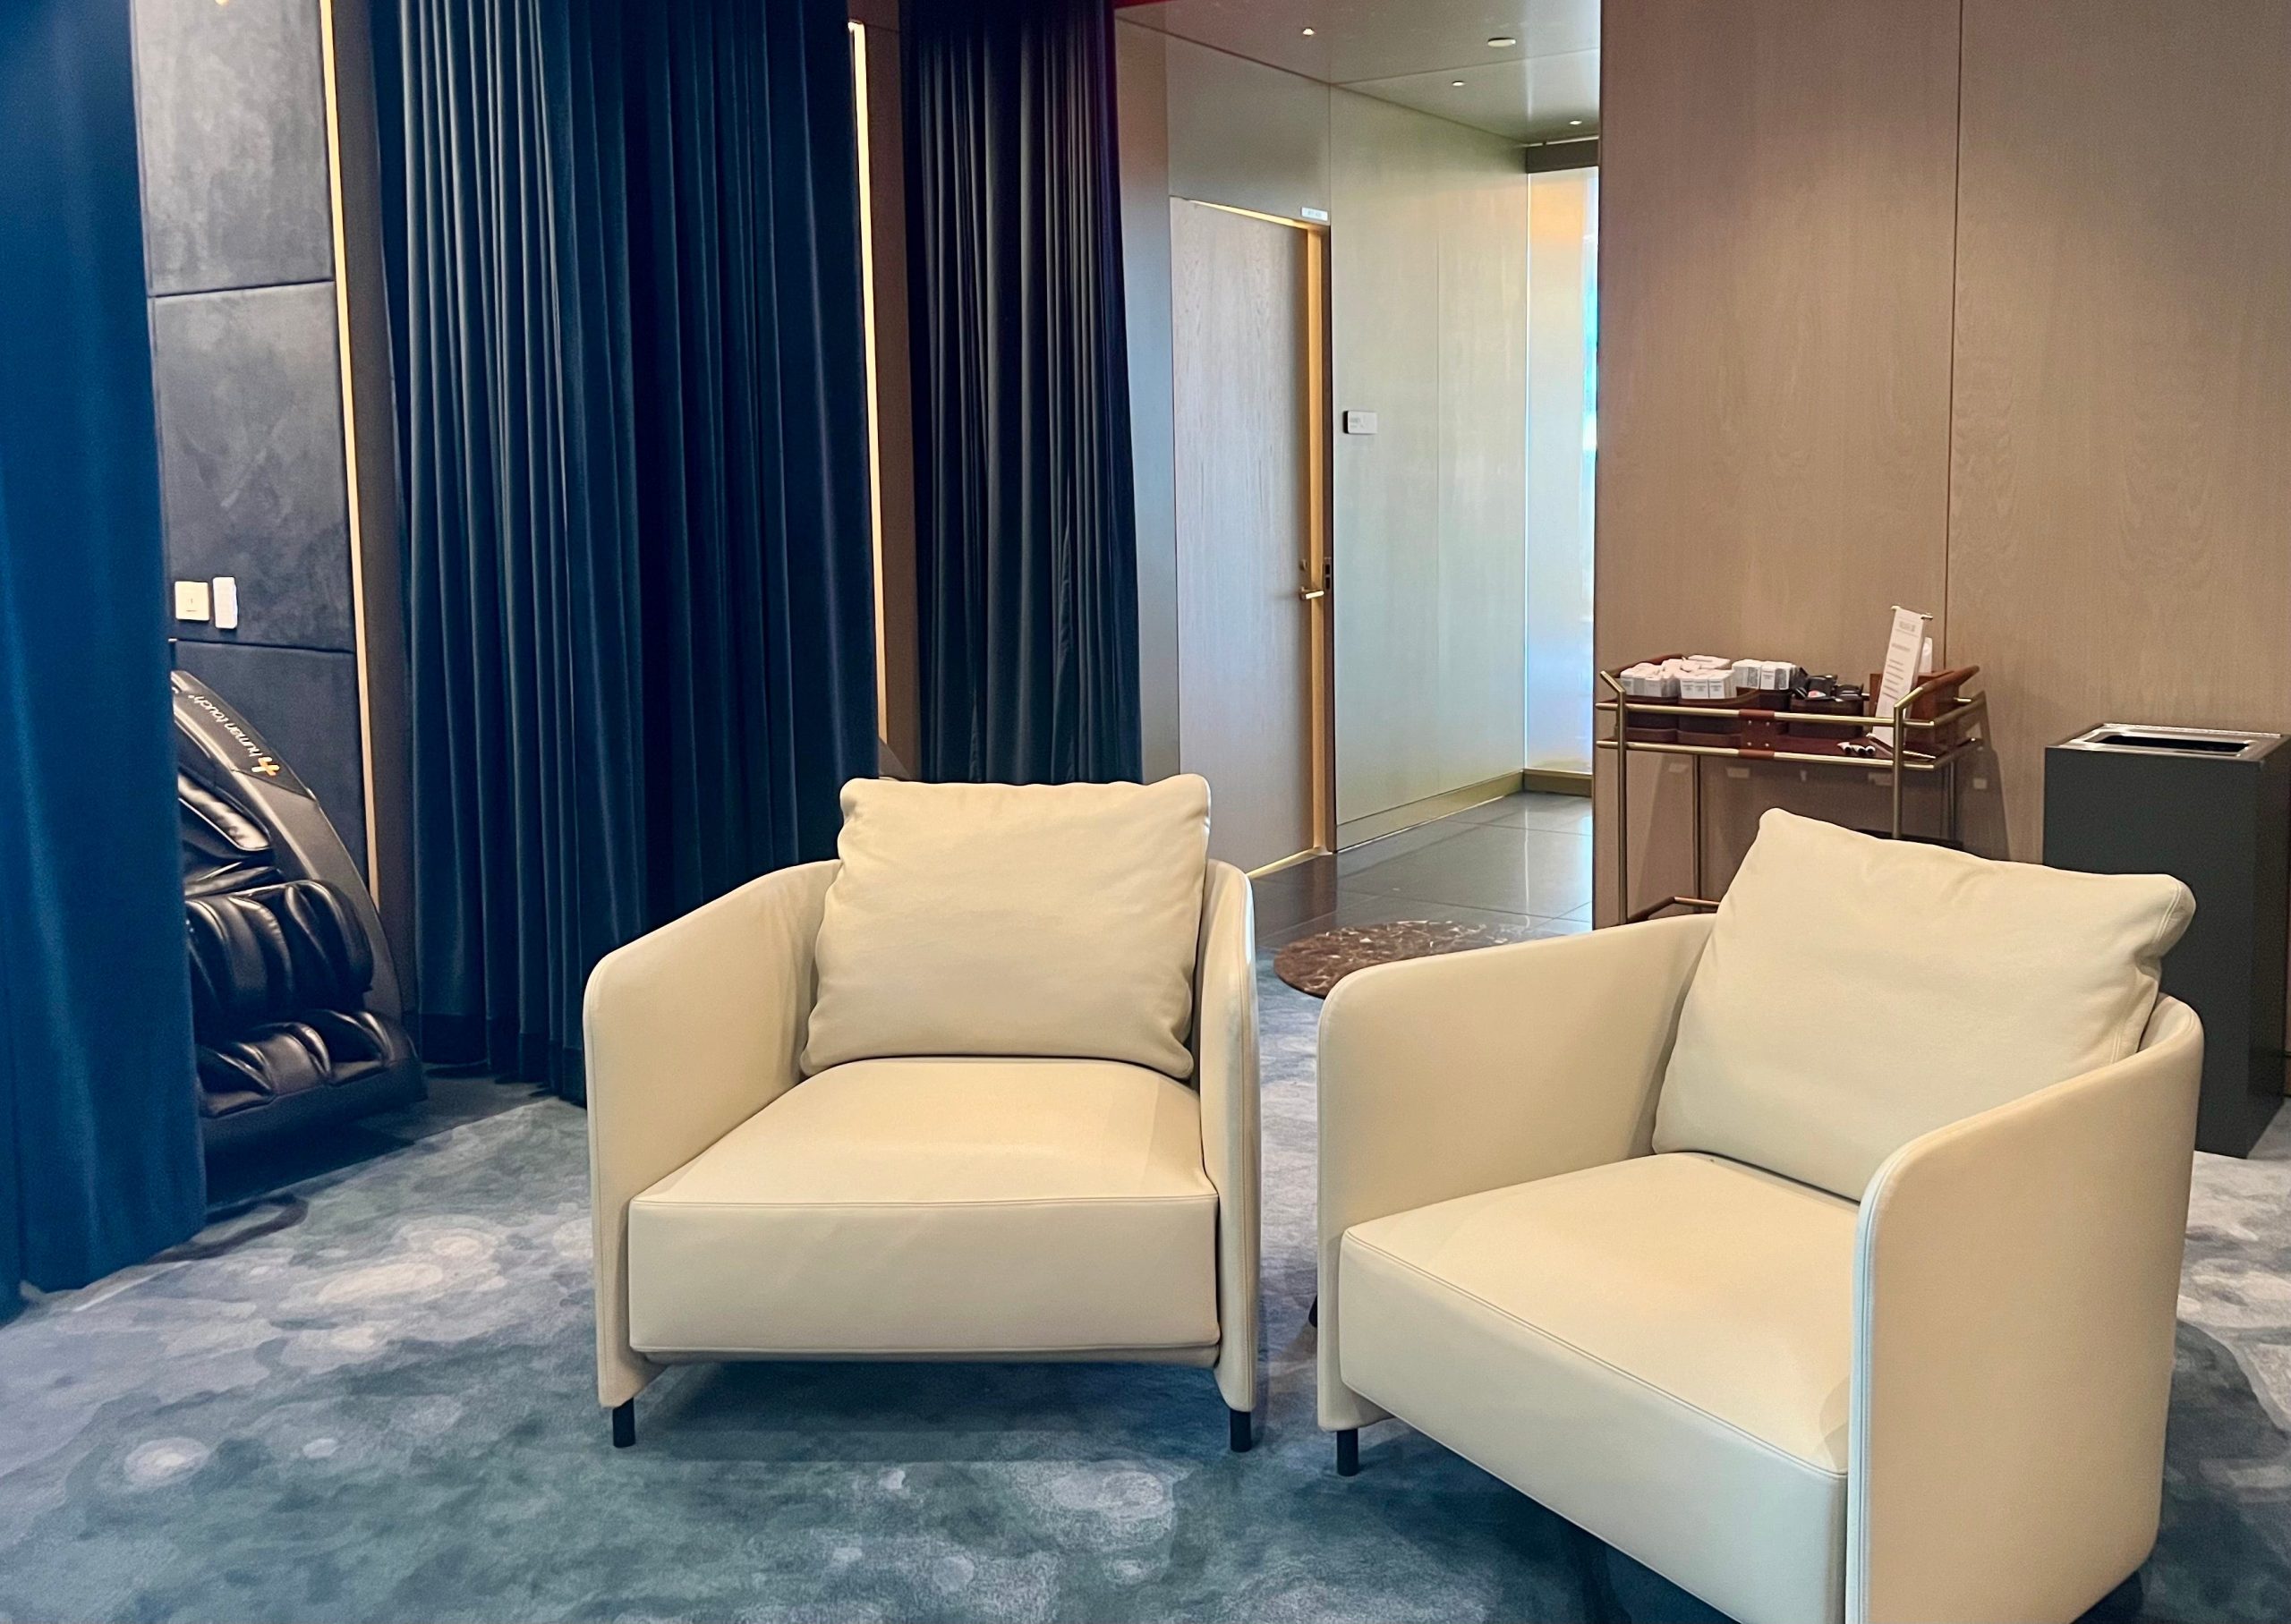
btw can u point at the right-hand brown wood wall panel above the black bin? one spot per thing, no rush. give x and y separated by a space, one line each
2120 542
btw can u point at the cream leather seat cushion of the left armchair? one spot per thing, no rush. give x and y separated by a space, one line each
938 1208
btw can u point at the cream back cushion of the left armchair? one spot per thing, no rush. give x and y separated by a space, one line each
1014 920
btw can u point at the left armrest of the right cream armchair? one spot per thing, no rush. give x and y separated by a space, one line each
1454 1075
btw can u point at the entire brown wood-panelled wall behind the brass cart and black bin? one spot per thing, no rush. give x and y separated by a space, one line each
1903 306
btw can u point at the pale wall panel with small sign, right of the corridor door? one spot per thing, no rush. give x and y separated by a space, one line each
1431 331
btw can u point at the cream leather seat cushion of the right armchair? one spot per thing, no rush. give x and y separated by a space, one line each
1658 1350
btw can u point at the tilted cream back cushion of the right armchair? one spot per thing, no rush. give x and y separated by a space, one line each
1861 993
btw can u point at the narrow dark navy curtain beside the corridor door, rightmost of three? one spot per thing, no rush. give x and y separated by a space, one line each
1025 521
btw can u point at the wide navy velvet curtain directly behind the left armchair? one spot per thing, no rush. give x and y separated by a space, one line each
624 255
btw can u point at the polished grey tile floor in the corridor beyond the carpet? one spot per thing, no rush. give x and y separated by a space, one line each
1522 860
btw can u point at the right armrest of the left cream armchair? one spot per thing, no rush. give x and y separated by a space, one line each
1227 1075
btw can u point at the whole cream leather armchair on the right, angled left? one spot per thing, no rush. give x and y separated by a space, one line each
1809 1346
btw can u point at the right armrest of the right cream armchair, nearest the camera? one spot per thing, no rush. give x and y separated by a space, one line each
2017 1291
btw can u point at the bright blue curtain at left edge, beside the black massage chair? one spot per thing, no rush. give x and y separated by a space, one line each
100 1130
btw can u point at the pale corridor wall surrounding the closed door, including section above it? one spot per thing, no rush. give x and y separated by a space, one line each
1428 331
